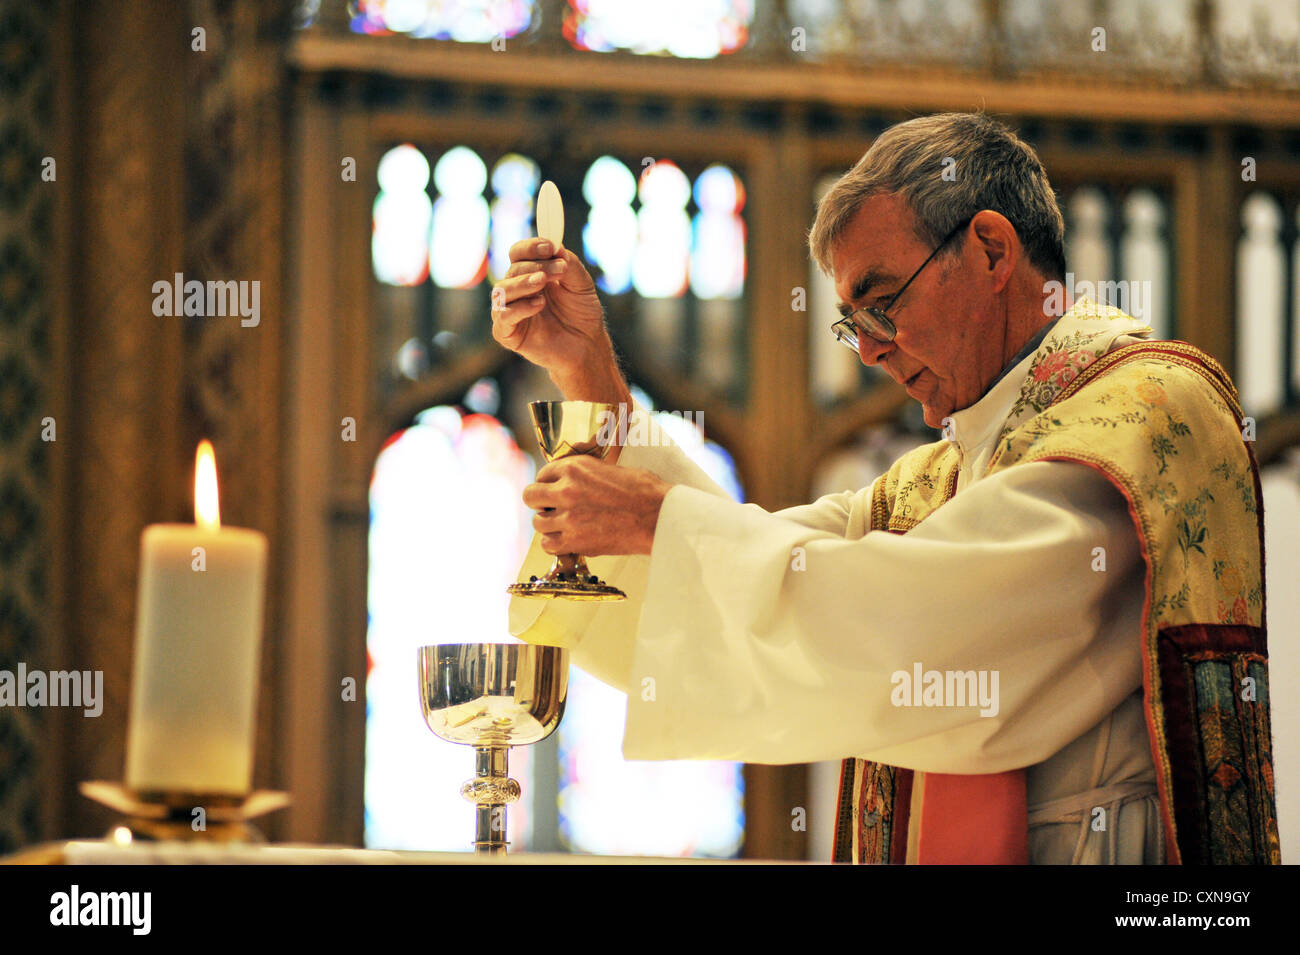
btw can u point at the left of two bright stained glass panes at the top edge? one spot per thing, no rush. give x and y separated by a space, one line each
467 21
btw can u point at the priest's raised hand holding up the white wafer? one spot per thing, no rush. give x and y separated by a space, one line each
547 310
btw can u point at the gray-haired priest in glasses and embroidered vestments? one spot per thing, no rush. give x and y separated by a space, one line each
1037 640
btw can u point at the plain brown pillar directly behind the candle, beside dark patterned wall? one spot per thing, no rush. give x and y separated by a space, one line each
124 175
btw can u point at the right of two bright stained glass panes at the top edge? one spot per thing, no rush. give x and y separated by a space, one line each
697 29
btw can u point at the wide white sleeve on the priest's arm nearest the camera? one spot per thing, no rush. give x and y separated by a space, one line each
762 640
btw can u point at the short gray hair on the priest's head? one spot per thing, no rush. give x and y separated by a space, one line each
991 170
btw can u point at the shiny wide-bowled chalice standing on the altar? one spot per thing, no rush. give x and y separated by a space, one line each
492 697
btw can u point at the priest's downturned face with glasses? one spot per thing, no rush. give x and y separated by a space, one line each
950 336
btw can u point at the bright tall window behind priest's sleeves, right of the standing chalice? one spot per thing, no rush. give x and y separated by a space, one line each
609 805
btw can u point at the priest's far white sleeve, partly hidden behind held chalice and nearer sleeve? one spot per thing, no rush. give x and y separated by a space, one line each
603 635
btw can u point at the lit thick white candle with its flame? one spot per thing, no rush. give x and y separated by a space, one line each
198 648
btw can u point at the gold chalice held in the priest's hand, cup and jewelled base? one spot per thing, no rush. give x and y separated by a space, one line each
566 429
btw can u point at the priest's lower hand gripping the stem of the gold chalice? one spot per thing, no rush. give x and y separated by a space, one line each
600 509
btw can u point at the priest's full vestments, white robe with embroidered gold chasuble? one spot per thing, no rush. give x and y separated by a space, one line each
1080 558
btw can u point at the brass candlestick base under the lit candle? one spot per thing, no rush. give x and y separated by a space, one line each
155 817
